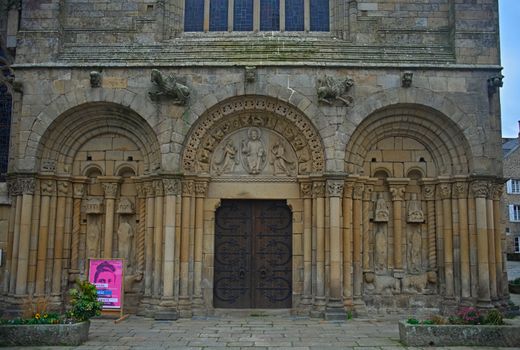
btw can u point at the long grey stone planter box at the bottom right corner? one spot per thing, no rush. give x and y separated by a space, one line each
459 335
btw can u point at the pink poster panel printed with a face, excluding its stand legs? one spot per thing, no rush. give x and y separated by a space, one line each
107 276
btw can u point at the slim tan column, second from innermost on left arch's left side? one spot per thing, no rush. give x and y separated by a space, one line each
63 191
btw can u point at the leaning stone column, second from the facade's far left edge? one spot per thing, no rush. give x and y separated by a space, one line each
27 187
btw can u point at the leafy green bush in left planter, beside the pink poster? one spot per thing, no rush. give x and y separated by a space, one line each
83 301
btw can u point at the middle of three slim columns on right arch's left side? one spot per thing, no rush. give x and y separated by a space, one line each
356 240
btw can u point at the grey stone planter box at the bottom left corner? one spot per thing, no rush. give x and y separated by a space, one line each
44 334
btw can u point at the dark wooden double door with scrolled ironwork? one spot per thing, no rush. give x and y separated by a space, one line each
253 254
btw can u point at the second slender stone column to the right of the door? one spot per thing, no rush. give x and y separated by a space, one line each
319 193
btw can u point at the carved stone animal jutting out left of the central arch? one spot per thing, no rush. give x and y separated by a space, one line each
168 86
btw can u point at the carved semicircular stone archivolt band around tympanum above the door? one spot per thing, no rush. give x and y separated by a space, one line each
276 116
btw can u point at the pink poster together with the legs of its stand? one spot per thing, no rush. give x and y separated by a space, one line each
109 274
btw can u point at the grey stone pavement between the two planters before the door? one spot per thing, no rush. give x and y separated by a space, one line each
244 333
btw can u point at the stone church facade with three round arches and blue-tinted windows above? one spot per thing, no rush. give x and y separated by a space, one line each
318 156
